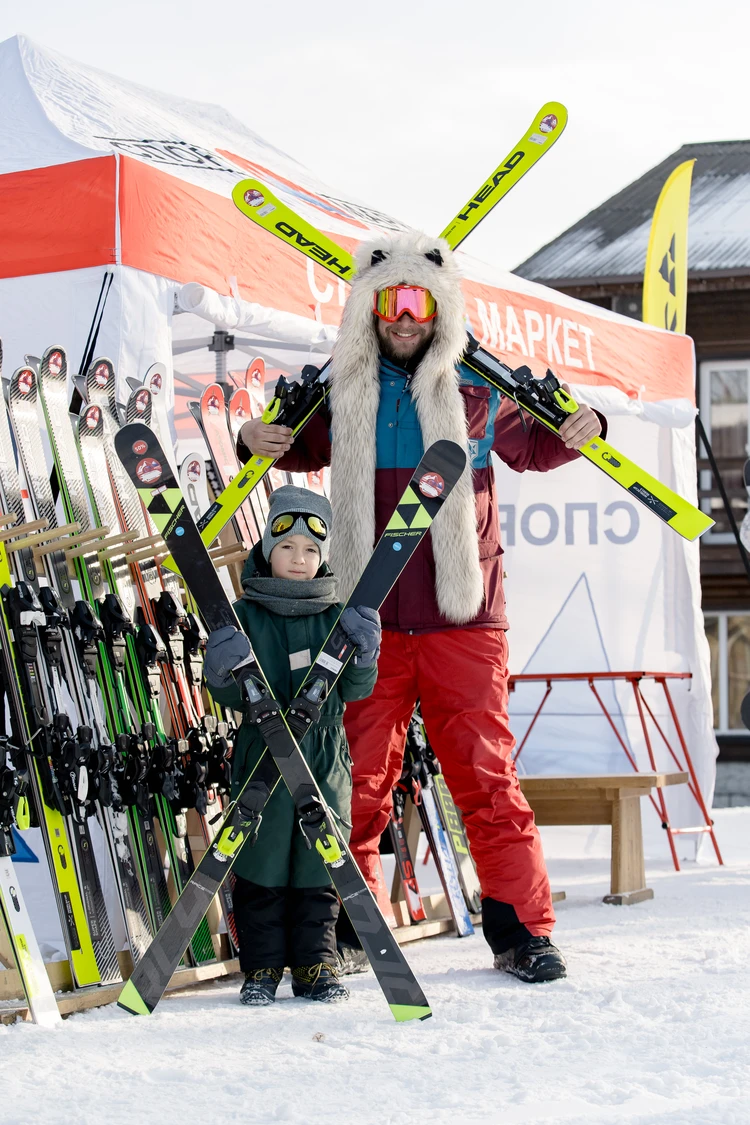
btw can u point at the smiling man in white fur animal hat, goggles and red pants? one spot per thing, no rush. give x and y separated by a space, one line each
397 384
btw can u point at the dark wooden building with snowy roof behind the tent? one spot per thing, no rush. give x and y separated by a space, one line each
601 259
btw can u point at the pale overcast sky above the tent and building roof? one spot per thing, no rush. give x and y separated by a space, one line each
411 107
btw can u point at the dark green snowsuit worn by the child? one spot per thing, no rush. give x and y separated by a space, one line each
285 647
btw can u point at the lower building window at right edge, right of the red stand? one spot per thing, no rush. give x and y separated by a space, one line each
729 641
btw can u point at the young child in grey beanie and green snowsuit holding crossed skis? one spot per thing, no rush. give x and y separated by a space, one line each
285 906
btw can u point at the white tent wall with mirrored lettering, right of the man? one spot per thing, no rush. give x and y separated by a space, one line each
595 582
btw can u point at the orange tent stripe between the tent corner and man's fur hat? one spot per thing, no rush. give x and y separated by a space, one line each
179 231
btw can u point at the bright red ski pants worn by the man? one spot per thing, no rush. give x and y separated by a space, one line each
462 680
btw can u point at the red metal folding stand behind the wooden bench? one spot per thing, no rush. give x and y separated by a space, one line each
635 679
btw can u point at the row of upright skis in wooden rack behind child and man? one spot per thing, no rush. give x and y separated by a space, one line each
111 746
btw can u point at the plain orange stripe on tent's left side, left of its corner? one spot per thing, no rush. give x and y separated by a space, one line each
58 219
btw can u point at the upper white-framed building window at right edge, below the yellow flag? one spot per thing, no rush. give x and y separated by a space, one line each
725 398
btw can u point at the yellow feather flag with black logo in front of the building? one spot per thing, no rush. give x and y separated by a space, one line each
665 281
